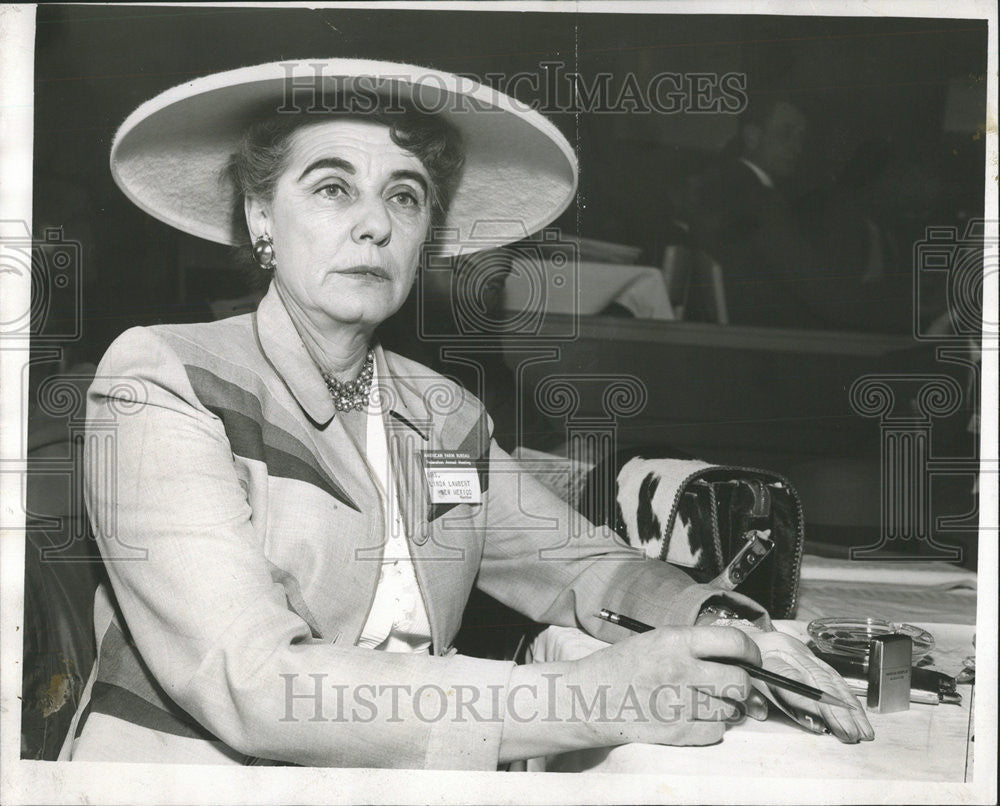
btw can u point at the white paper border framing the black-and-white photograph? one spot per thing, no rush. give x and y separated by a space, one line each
24 781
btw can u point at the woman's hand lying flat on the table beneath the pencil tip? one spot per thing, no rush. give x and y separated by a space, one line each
789 657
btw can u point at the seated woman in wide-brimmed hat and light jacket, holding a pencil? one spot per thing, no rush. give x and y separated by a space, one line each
292 518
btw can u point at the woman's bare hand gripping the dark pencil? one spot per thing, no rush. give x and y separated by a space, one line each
665 686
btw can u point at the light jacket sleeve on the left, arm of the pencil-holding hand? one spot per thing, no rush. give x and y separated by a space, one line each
215 629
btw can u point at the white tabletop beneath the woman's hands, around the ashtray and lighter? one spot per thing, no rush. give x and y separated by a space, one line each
926 743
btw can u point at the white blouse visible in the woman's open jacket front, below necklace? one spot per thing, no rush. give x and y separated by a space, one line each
398 619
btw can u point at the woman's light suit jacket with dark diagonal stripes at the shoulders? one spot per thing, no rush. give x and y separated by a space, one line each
242 532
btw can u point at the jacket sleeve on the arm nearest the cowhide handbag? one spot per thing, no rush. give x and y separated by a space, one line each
548 562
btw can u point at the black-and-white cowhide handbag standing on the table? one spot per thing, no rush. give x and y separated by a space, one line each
698 516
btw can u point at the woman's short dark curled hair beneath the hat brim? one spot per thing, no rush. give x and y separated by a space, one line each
262 155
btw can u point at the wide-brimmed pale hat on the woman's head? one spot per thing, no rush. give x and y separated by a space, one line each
169 155
